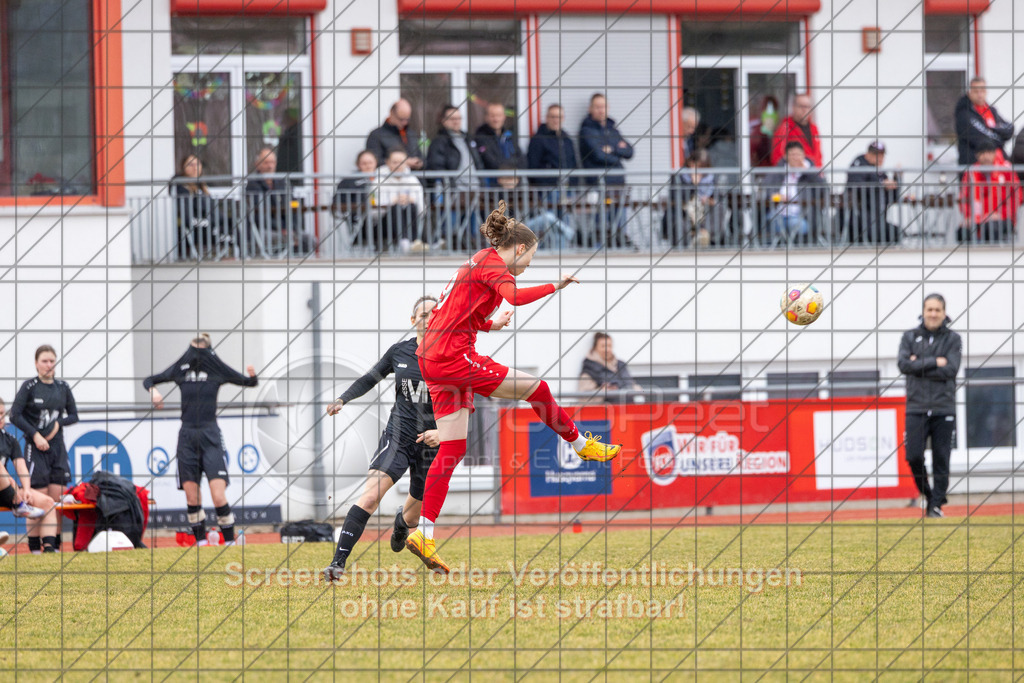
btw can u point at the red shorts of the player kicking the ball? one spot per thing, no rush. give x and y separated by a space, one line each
452 383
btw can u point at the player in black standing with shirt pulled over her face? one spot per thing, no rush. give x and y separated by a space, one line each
201 447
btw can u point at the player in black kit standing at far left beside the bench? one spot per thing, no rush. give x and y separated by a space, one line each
44 407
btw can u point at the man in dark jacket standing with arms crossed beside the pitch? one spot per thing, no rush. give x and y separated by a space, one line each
930 357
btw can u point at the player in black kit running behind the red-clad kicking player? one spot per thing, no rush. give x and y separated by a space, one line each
410 442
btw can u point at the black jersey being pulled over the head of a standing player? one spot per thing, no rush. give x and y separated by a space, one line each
200 373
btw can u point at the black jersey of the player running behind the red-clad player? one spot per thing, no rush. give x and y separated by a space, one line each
413 413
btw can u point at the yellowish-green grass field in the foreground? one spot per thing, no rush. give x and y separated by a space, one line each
898 600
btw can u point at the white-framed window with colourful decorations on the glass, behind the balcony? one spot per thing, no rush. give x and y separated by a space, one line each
242 83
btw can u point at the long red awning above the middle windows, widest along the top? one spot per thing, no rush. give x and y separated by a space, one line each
732 9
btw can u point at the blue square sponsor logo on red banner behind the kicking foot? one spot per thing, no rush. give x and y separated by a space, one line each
556 469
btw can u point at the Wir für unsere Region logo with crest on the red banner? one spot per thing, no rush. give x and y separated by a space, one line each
668 455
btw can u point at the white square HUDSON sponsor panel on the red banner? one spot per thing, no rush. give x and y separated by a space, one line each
856 450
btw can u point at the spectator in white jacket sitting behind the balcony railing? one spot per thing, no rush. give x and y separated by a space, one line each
402 196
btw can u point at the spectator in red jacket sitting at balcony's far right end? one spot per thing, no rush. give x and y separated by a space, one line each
990 199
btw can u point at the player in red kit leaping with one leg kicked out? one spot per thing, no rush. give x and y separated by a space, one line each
454 371
